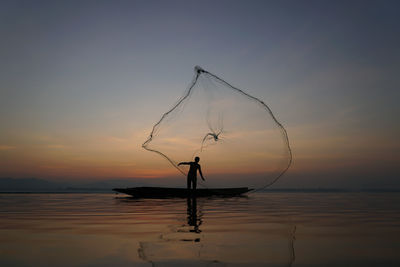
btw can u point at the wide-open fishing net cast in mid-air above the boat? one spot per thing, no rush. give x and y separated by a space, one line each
238 138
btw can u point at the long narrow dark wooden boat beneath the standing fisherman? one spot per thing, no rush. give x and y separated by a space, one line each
154 192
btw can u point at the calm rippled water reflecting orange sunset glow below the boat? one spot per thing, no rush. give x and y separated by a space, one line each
263 229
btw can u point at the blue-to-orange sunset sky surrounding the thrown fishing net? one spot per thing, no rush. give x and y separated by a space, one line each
83 82
